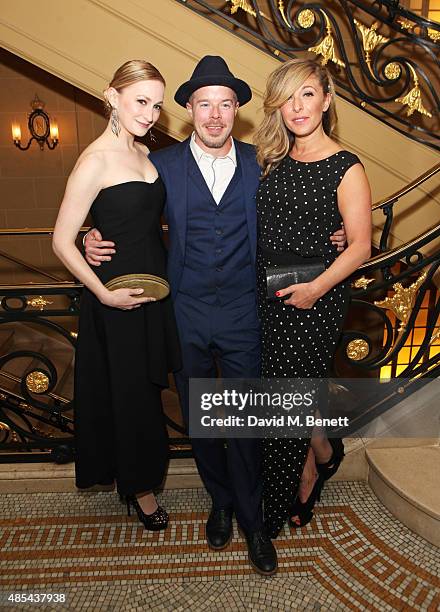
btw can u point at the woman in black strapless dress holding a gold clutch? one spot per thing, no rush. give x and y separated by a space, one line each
127 342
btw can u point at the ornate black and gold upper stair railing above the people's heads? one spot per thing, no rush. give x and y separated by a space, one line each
383 57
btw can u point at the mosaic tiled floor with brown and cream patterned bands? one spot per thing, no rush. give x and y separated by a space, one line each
353 556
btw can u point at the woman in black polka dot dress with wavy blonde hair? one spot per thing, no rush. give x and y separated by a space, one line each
309 184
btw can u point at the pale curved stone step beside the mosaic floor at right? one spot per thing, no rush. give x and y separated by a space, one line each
406 481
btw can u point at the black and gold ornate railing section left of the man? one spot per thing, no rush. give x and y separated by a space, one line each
38 324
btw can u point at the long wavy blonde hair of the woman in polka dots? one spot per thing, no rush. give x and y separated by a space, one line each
273 140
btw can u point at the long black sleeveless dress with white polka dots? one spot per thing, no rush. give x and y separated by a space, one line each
297 212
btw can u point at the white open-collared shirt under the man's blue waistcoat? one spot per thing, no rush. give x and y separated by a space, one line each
217 171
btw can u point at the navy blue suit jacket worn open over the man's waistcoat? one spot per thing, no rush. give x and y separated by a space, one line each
173 165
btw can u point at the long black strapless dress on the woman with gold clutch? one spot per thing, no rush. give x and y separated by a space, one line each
123 357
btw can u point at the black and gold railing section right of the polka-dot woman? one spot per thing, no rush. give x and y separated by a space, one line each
387 297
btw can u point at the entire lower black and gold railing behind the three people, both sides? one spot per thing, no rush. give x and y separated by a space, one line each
36 415
